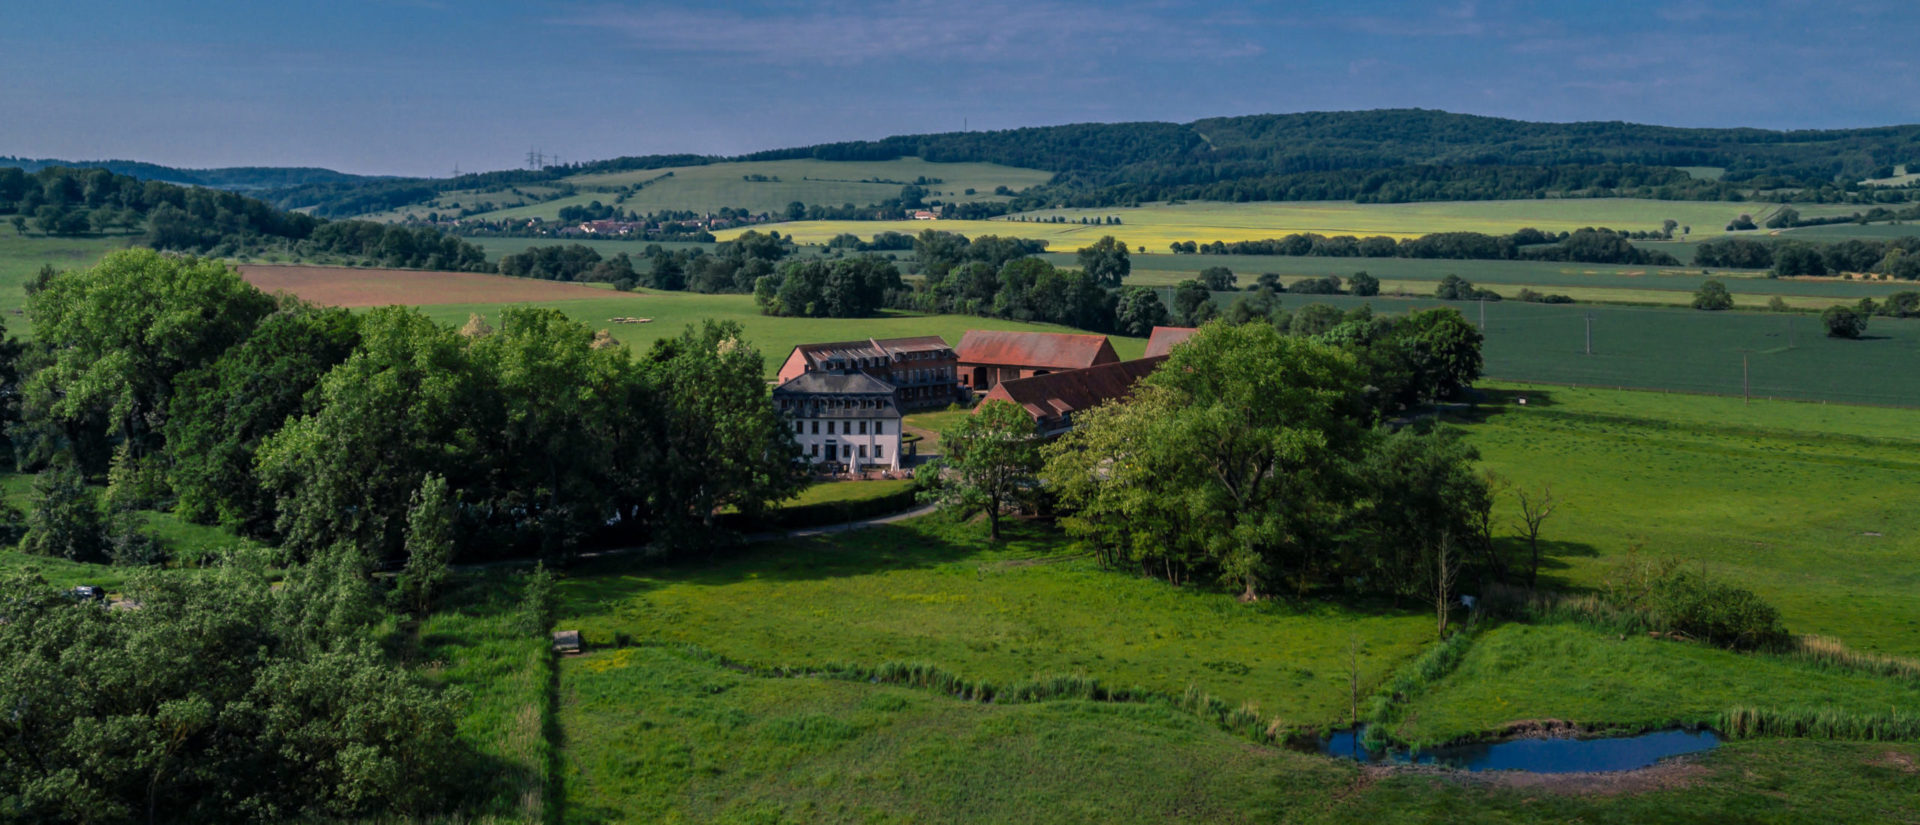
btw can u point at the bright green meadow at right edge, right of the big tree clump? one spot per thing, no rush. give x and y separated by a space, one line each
1781 498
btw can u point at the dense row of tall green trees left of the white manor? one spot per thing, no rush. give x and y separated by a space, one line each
312 429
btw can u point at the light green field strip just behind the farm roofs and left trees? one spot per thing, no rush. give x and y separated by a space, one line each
673 312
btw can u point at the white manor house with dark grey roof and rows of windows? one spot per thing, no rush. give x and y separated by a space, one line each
844 421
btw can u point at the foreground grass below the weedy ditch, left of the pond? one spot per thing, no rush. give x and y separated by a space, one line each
661 738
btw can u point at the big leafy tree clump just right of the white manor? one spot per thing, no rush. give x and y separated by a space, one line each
1255 460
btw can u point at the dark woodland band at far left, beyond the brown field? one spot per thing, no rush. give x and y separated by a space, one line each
66 202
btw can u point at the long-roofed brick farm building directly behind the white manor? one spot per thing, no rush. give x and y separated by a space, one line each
923 371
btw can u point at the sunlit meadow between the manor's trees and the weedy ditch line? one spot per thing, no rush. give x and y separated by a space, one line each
934 592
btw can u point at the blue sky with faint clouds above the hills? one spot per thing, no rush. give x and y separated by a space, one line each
421 87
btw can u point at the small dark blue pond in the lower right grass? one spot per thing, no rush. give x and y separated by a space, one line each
1560 755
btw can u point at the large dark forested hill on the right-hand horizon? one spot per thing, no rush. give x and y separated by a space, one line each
1383 139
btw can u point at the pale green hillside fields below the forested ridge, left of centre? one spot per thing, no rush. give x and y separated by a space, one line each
725 185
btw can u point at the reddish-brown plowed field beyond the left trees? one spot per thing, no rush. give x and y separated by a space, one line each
348 287
